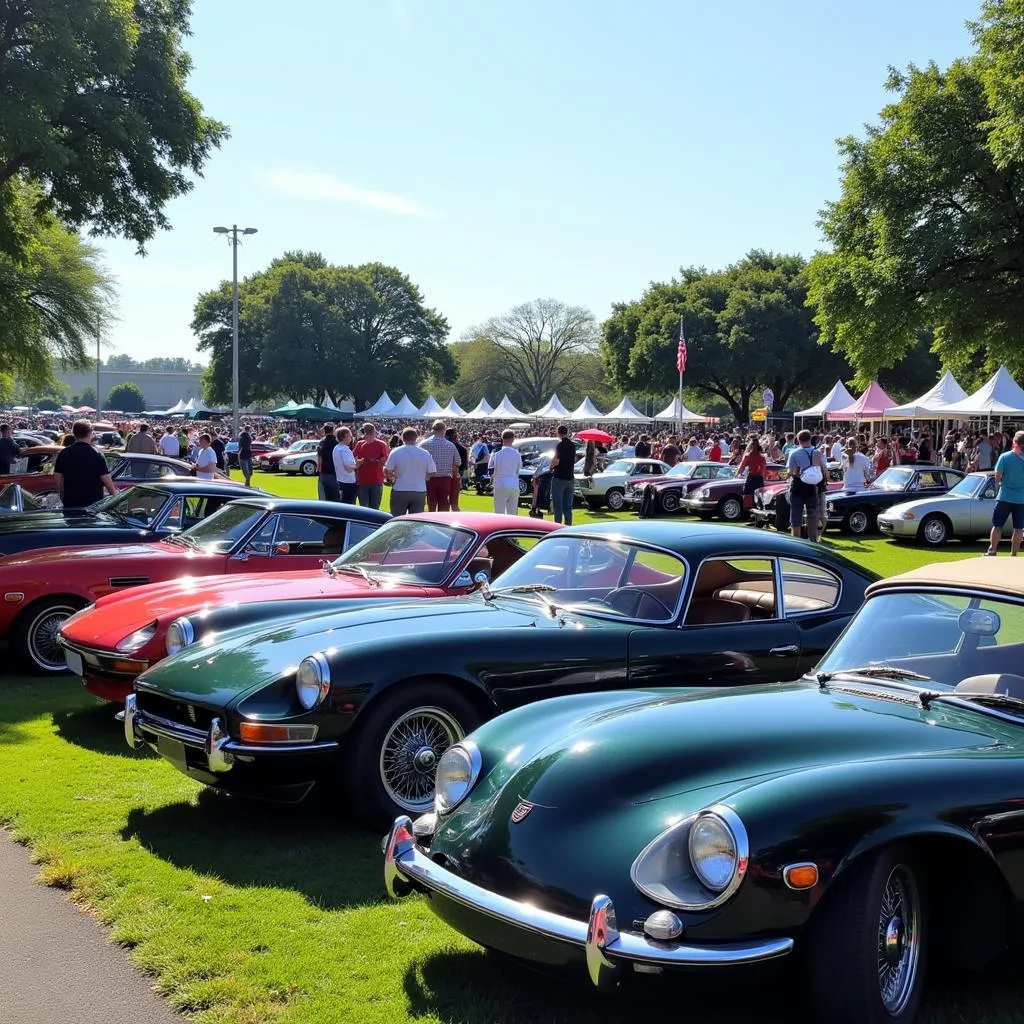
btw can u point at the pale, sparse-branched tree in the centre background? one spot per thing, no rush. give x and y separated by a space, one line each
541 348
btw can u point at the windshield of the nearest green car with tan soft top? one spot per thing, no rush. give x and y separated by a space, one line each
945 637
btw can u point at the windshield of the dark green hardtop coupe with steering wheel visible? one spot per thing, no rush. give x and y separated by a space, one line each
601 577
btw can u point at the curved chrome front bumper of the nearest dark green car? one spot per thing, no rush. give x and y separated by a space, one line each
407 869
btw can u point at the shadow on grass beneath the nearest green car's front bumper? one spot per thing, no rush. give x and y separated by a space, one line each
483 988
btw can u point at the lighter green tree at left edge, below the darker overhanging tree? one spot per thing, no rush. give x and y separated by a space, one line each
55 295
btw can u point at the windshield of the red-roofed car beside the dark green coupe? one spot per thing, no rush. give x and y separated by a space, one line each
410 551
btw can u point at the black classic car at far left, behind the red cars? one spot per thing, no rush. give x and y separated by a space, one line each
145 513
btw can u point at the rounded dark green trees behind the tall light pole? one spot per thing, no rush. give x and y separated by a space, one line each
308 329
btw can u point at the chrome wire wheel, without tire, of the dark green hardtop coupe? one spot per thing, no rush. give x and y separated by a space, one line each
410 754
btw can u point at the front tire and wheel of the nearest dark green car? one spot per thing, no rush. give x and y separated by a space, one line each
868 944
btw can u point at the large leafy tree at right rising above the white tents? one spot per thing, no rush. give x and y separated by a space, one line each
926 235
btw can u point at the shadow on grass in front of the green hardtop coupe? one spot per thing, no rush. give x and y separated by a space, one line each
310 848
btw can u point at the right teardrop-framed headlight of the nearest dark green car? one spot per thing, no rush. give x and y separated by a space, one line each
697 865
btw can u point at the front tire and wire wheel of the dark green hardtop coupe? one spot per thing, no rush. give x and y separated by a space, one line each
381 785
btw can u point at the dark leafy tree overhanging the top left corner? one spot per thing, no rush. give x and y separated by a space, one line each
96 110
